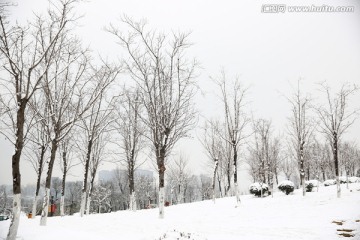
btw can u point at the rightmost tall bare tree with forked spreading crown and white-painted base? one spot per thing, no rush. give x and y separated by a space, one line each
335 119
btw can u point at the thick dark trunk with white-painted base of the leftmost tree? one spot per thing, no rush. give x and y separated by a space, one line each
19 144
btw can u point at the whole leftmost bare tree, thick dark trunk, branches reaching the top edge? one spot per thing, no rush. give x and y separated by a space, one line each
24 50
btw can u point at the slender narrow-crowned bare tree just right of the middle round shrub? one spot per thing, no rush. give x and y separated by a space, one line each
301 128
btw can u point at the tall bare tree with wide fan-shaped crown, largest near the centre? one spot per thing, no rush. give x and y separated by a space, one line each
159 66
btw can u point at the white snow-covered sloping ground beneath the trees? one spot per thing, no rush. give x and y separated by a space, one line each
280 217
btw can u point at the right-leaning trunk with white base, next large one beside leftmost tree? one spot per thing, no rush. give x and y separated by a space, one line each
44 214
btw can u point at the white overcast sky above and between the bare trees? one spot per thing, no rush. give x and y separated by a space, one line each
267 50
